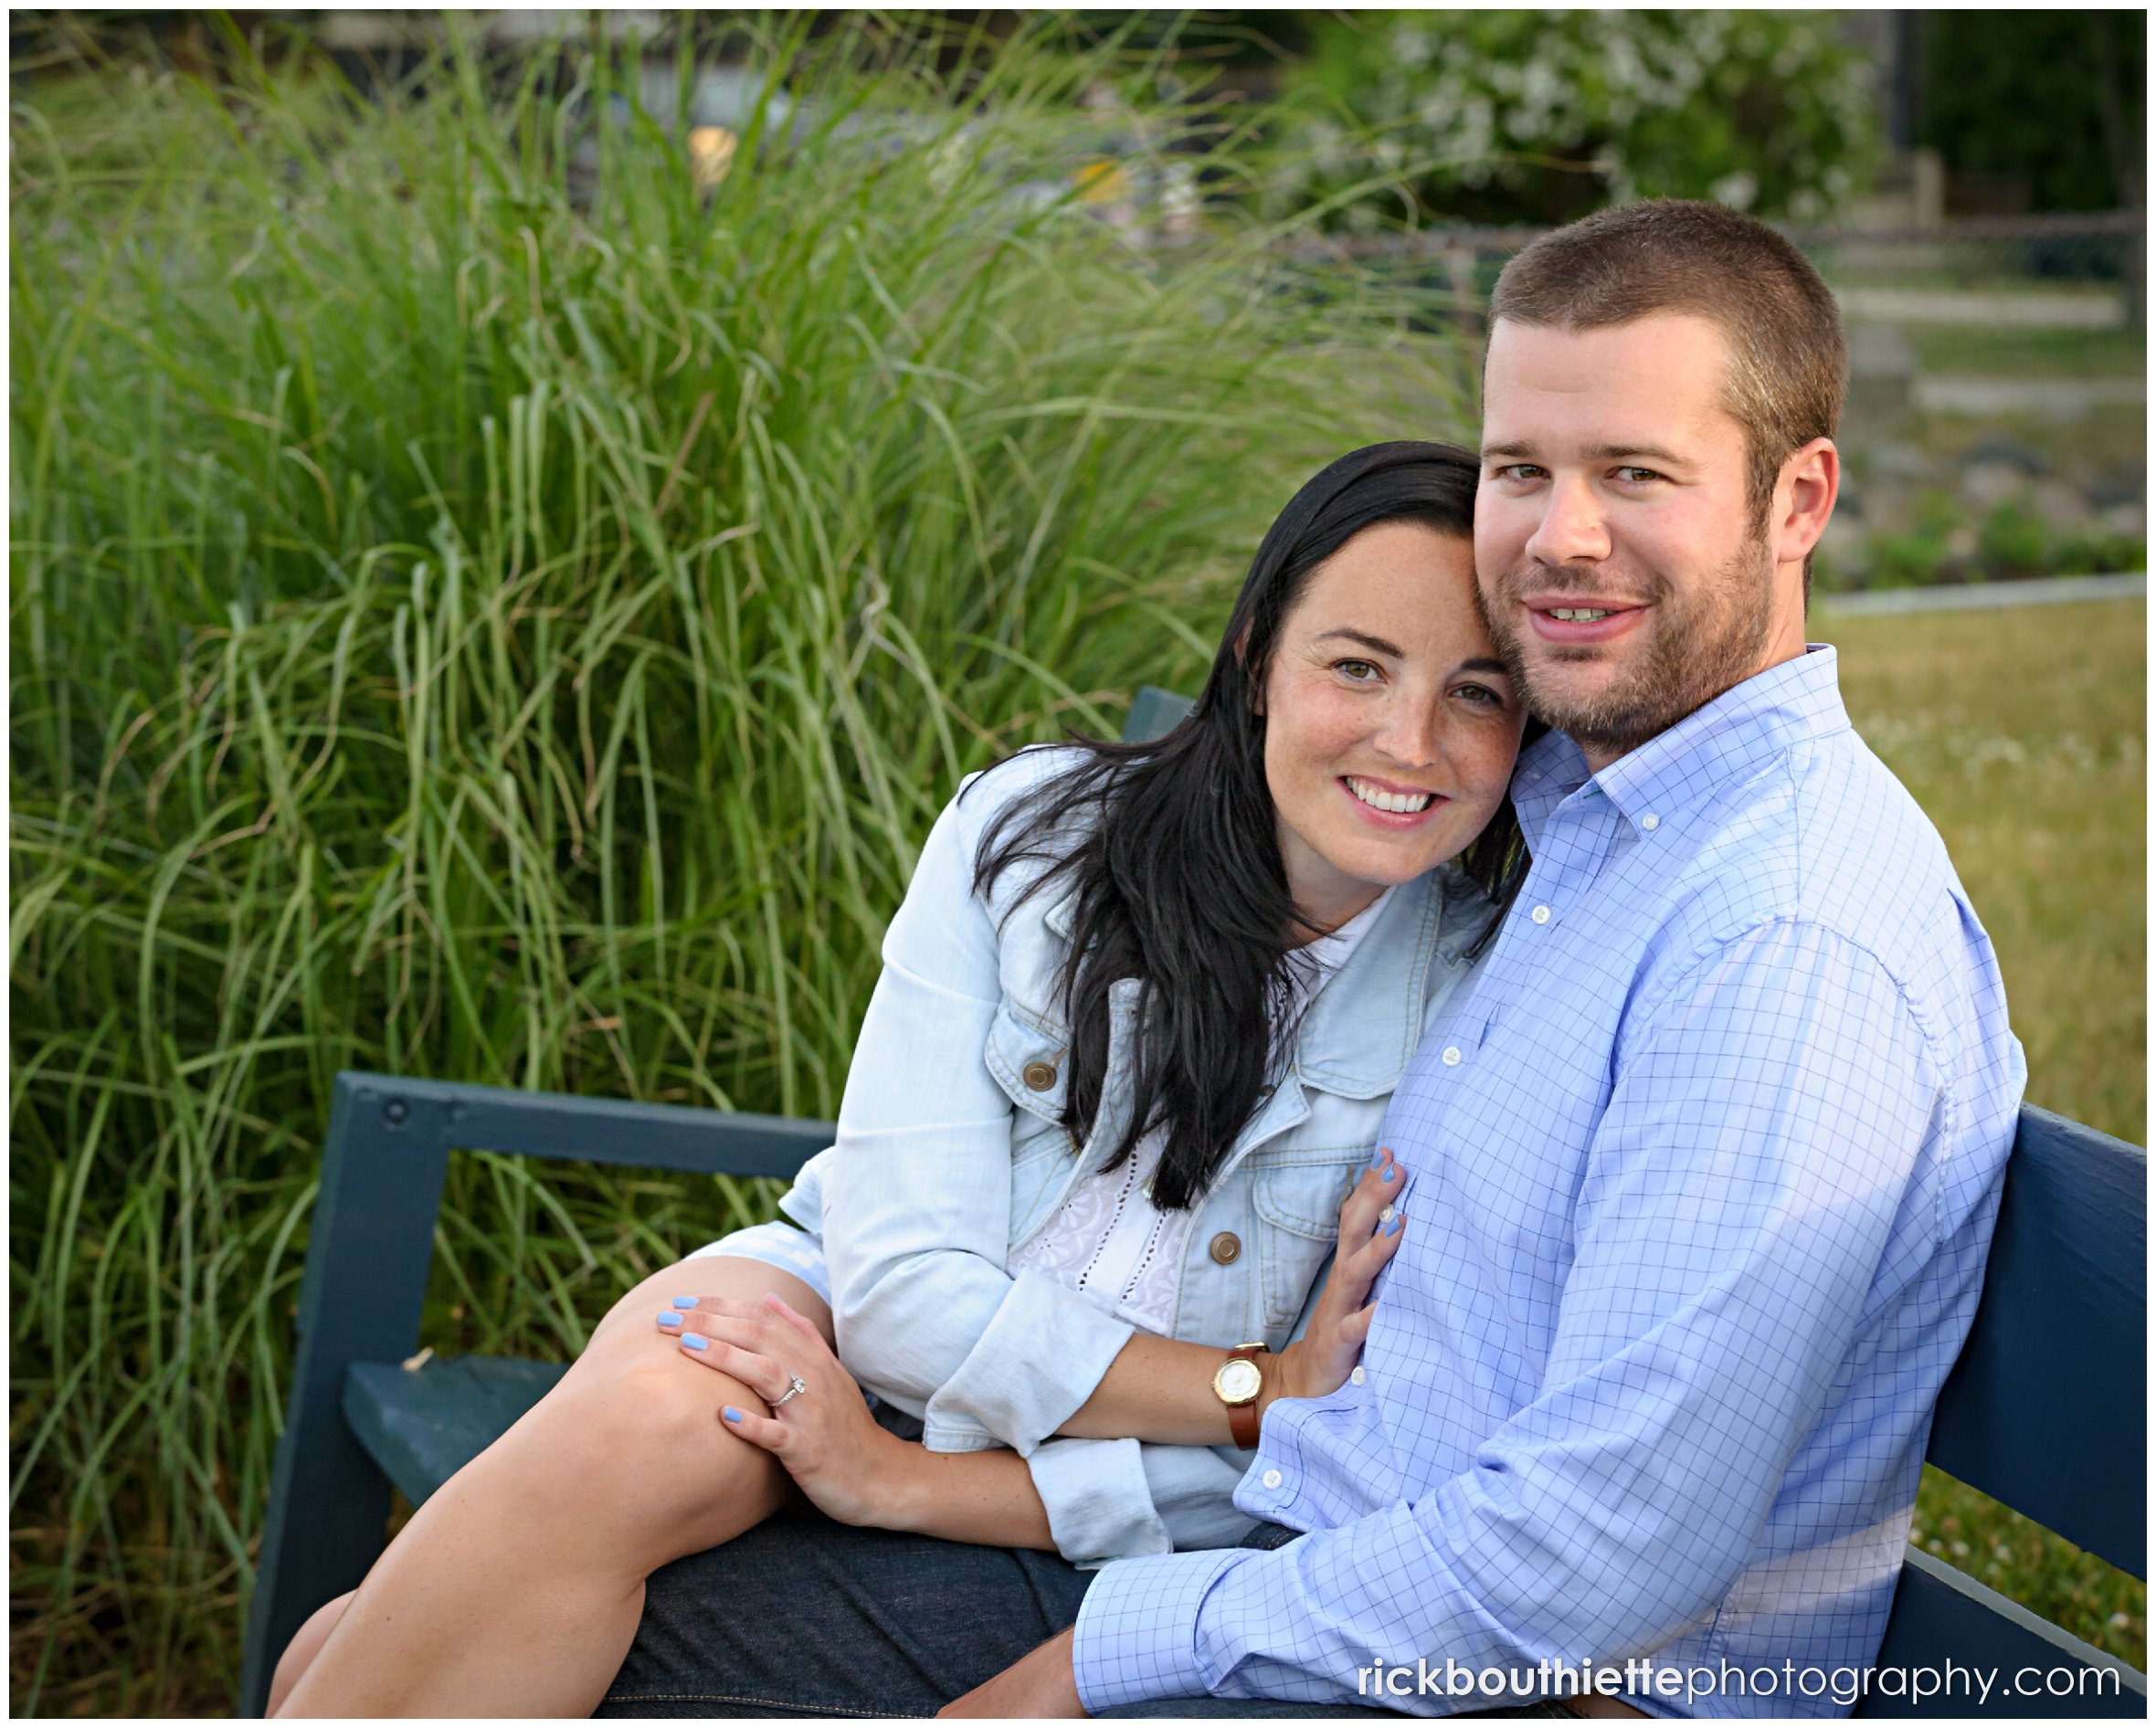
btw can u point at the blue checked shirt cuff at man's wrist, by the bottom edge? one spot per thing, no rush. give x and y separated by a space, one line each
1139 1630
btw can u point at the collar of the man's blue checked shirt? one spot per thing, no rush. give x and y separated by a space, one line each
1737 734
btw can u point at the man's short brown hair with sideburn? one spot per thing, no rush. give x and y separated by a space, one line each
1788 359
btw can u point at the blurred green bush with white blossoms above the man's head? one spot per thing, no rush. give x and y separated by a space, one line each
1545 115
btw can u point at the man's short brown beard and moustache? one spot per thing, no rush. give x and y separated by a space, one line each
1700 650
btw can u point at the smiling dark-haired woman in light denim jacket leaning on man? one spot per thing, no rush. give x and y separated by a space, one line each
1137 1027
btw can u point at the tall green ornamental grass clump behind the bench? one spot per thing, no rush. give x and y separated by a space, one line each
490 604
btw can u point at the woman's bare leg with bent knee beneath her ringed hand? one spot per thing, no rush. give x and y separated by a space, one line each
516 1589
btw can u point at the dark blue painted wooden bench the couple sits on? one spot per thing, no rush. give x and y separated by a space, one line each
2045 1408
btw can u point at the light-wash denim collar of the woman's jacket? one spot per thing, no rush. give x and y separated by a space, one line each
1357 1037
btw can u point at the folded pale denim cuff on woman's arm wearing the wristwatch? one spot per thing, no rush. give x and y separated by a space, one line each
1032 1367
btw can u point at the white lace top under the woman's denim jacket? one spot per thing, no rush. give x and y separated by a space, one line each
1109 1242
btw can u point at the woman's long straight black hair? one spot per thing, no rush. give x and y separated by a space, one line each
1176 876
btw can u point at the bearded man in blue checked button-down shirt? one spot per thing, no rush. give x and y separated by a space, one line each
1702 1171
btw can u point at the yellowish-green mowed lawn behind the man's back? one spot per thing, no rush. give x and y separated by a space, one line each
2023 736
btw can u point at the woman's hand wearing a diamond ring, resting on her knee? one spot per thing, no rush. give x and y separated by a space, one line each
825 1436
